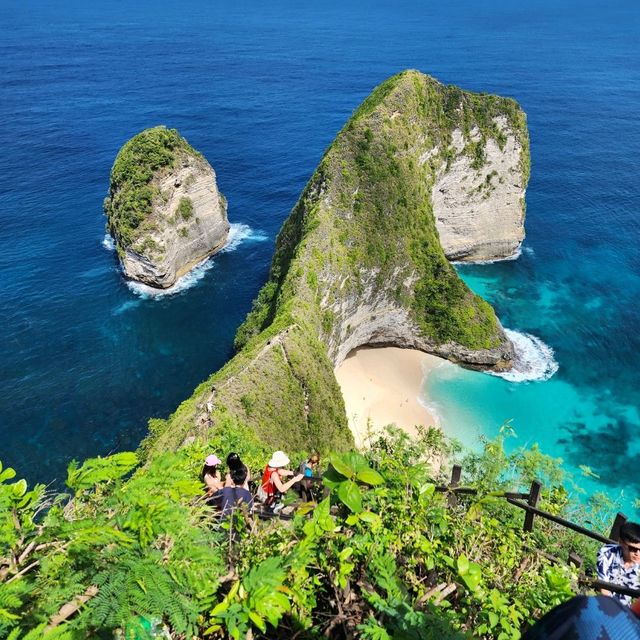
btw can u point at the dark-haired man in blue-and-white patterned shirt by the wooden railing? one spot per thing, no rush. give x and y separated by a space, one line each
620 563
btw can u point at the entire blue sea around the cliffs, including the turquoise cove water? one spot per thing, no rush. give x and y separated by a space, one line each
261 89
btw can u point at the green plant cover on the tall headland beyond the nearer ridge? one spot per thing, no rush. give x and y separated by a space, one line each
366 214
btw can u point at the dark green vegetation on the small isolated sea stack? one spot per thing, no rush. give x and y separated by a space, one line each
131 193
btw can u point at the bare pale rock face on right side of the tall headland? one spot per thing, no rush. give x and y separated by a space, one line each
479 210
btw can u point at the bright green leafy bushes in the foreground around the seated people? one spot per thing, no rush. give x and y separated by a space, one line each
130 547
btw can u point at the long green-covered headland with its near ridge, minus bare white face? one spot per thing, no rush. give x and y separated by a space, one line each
359 262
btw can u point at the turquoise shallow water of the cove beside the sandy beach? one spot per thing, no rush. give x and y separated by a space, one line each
586 413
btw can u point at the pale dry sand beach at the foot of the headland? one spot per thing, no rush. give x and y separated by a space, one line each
381 386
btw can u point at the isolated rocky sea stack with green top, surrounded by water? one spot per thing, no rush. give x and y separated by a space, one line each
164 209
